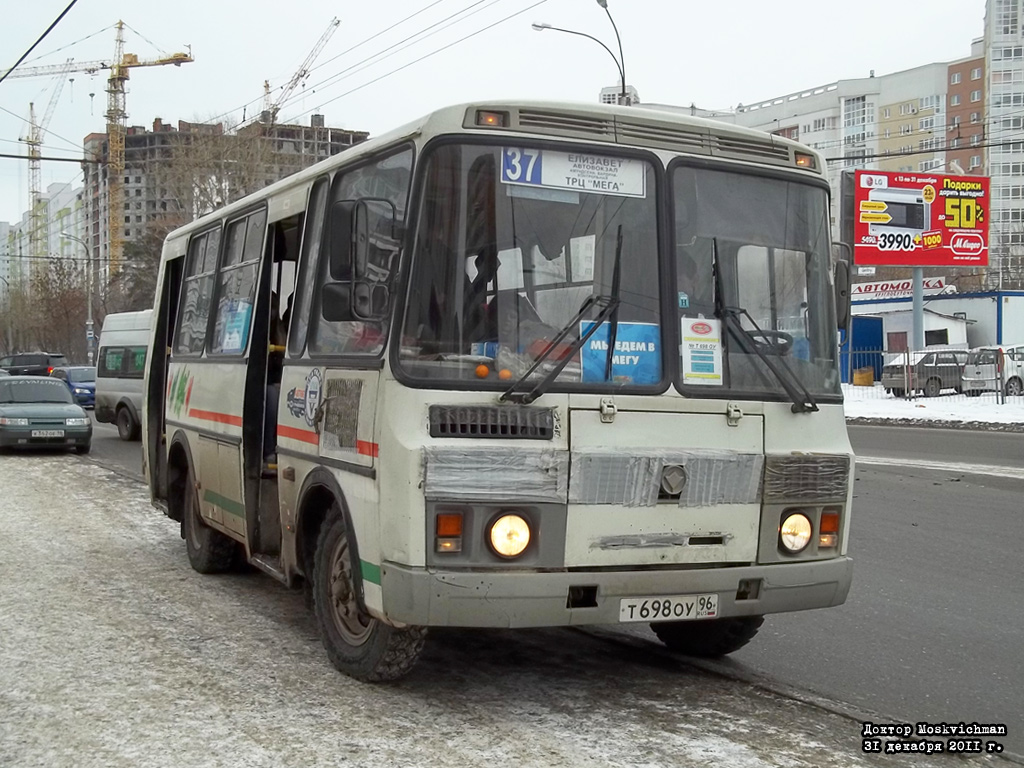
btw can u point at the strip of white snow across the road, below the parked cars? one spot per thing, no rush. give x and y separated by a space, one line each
872 404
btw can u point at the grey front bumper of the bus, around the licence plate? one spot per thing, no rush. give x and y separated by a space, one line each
439 599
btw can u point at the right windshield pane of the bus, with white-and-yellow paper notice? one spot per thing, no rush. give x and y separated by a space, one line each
753 277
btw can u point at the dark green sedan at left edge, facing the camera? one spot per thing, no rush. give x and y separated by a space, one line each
39 412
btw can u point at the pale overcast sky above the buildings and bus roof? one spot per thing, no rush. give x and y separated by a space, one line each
715 55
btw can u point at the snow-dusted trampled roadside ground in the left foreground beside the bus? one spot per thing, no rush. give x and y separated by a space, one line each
113 653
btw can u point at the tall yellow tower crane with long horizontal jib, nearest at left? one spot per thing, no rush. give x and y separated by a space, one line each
116 129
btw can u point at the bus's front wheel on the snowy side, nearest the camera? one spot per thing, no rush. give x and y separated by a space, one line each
358 645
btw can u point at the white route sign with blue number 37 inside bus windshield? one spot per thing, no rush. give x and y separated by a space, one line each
578 172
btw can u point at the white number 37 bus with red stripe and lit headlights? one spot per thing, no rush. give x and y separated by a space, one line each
545 365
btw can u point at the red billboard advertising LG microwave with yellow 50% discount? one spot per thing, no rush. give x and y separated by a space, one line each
920 220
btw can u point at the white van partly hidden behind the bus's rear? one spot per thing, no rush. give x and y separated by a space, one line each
124 343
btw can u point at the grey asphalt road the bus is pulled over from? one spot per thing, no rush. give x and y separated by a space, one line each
932 629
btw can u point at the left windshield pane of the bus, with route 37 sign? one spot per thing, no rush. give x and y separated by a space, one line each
519 252
